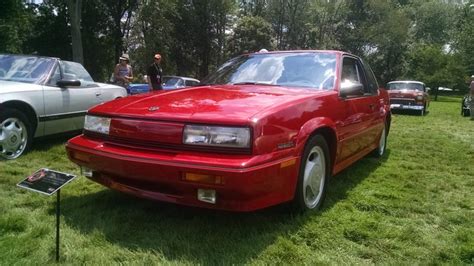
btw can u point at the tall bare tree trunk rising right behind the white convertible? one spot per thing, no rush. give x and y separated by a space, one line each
75 9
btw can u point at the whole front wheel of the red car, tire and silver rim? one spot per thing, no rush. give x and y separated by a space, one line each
313 175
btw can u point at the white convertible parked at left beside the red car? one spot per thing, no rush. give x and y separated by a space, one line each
42 96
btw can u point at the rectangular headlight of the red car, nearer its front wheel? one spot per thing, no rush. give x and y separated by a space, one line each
237 137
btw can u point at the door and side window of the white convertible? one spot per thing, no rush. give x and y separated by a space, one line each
65 107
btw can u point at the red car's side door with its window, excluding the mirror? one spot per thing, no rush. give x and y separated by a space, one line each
358 128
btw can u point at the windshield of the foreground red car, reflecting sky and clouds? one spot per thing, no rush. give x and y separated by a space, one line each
311 70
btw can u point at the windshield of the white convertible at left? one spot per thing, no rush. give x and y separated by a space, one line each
29 69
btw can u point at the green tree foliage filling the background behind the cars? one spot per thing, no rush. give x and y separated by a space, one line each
429 40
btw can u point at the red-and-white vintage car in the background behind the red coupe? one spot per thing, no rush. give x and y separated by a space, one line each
408 95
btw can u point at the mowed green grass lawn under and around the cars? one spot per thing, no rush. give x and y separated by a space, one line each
415 205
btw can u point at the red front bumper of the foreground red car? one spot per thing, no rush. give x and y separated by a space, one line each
248 182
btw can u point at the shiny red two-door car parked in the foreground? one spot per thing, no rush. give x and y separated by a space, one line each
264 129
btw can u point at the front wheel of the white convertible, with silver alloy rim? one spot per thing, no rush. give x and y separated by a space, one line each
16 134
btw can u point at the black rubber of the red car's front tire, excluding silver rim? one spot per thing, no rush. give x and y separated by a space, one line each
298 201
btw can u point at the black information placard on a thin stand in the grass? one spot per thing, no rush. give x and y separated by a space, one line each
46 181
